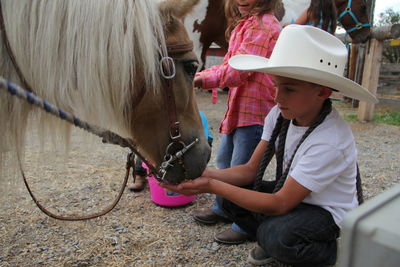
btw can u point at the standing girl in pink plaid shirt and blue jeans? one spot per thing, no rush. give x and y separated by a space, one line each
253 29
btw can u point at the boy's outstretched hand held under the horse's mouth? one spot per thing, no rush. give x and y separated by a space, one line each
194 187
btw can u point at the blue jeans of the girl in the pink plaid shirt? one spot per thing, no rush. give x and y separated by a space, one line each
236 149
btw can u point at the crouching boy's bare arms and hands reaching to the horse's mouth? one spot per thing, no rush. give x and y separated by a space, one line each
226 183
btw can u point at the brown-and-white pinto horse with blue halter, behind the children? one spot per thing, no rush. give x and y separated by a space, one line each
207 23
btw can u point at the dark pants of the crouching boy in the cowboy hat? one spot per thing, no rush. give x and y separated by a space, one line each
306 236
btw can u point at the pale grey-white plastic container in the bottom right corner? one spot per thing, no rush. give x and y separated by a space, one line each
371 233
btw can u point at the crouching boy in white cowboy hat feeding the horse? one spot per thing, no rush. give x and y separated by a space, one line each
295 218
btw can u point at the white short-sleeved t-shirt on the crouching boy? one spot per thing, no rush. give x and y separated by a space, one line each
325 163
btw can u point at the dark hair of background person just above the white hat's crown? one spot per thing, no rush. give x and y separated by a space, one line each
323 12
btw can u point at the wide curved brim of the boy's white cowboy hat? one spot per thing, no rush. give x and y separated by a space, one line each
345 86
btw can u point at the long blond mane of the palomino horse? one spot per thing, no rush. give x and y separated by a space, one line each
86 56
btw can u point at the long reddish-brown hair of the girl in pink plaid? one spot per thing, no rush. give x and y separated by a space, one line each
233 16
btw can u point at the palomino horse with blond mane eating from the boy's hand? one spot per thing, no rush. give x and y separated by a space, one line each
101 61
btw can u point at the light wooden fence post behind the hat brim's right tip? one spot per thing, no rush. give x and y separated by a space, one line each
370 78
